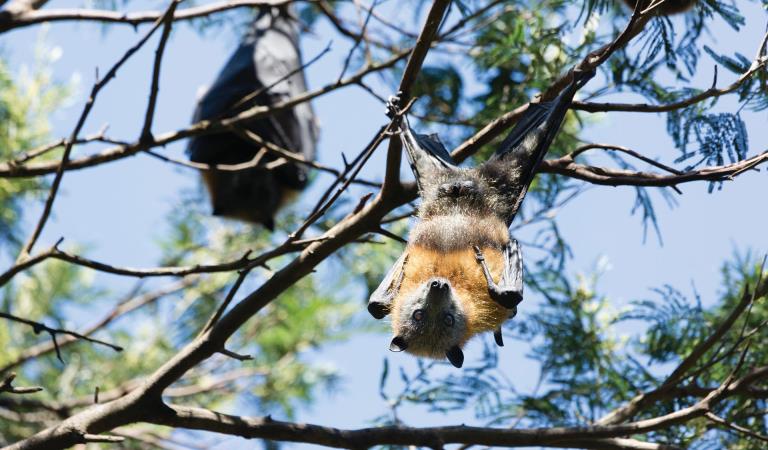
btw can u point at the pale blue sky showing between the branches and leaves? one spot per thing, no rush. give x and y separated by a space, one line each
119 210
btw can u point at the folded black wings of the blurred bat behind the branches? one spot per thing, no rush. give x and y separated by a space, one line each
267 62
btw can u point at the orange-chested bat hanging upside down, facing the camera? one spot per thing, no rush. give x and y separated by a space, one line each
461 273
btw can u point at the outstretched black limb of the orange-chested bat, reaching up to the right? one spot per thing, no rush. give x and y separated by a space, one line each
518 157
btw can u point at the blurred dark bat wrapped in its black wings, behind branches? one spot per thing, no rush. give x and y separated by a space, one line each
267 62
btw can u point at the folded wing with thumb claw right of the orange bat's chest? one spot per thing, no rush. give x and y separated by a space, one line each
509 292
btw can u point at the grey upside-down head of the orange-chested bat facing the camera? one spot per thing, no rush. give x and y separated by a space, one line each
430 322
